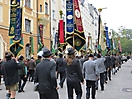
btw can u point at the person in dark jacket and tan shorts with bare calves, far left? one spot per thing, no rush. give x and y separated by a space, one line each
10 73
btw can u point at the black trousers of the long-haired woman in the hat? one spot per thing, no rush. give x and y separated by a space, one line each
78 90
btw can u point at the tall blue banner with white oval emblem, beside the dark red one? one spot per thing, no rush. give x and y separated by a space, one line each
69 22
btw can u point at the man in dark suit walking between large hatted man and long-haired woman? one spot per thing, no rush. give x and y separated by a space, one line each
61 69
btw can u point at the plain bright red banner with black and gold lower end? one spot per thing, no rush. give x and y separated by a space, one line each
61 36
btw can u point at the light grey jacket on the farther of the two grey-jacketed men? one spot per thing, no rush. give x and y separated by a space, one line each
100 64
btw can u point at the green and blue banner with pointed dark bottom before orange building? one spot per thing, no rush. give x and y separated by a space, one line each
16 37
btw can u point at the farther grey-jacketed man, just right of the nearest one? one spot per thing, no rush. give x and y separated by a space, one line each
101 69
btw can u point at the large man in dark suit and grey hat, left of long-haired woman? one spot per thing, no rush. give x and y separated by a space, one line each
45 75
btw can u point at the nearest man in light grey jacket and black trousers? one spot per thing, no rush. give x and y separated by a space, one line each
91 74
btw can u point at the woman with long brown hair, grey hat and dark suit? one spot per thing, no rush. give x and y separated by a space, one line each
74 75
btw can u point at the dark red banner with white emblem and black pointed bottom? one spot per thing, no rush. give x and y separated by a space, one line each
79 37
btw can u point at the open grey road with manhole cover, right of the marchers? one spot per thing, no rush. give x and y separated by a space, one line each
121 85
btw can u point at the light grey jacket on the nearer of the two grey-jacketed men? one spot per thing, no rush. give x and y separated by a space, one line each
90 70
